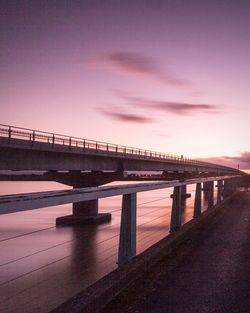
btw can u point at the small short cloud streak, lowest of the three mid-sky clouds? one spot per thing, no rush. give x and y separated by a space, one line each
118 115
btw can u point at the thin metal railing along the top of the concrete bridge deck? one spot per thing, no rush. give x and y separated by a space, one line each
53 139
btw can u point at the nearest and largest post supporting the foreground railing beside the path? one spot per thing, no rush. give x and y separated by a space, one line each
127 242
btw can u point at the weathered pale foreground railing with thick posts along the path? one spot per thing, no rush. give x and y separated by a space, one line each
226 186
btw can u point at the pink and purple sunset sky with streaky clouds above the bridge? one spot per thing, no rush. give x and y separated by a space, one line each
170 76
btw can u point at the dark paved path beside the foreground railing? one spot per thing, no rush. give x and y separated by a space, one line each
210 275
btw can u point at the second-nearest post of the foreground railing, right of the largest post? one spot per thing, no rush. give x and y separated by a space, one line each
176 210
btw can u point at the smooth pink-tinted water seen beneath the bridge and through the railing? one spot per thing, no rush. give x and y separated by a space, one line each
42 265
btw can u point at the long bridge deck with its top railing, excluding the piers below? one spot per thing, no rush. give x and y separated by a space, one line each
25 149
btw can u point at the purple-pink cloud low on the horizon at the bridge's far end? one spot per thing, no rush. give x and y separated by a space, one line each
243 160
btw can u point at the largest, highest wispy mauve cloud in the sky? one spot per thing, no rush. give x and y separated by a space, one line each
131 63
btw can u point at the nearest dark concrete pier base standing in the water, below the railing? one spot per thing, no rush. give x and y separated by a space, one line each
85 212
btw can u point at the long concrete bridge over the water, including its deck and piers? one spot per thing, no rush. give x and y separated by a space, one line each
80 163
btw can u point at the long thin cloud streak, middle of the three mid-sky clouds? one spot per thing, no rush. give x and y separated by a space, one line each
179 108
